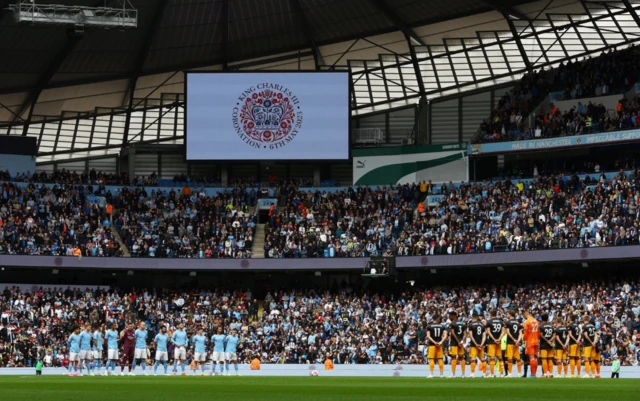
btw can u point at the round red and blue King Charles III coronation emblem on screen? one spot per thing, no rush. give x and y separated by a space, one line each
267 116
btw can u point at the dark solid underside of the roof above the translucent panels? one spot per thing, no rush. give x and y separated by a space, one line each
182 34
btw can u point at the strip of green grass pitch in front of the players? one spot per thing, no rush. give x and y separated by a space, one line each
60 388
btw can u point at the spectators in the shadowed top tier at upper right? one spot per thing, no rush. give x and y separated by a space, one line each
611 72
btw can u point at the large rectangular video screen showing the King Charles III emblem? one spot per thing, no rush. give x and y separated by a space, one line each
267 116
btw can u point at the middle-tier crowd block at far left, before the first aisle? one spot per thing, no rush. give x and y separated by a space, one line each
38 220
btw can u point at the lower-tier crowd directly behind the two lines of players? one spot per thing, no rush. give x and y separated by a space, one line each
304 326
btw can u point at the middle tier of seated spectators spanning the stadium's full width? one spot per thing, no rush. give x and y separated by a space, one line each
551 211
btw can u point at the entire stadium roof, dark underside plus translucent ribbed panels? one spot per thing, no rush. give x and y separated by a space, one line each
88 97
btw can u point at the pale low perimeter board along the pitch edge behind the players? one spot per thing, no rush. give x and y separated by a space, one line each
627 372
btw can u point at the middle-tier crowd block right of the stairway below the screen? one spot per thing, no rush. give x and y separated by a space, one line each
548 212
